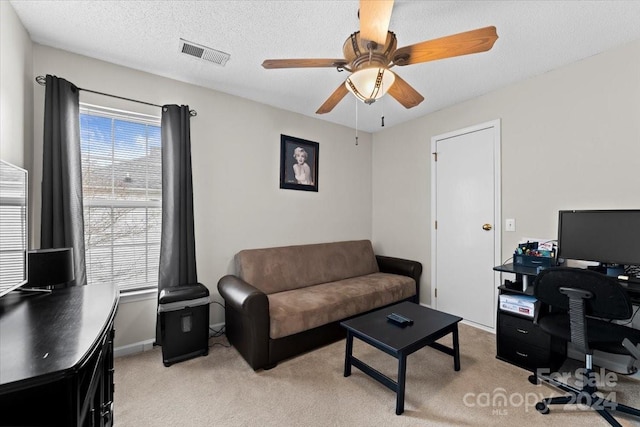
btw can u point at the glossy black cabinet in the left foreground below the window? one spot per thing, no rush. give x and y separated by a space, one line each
56 357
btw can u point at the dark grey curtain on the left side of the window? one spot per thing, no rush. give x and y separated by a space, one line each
62 222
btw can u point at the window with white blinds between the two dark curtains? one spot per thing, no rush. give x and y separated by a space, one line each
122 193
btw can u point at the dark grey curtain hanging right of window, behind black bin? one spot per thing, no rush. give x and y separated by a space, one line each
177 244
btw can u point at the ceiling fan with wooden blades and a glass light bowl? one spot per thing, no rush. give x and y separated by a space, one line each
370 53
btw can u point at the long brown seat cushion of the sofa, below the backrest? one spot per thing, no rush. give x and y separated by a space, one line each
298 310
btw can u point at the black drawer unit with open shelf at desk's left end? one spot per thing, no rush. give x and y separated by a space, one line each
519 341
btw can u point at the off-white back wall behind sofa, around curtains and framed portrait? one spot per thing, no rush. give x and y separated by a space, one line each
235 155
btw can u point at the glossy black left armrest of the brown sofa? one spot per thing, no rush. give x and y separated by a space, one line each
246 319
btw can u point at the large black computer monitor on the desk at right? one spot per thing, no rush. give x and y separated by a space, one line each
605 236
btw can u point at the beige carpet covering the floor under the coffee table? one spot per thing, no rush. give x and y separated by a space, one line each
310 390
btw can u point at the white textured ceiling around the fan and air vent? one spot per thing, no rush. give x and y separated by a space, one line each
534 37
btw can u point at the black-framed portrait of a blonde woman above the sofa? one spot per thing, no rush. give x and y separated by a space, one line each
298 164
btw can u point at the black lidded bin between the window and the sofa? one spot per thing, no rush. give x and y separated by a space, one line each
184 322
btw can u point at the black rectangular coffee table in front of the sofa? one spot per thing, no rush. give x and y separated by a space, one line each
374 329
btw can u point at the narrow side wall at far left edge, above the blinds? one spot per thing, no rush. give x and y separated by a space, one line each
16 89
